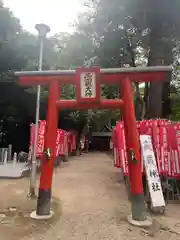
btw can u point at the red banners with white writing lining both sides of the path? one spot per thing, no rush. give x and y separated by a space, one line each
165 137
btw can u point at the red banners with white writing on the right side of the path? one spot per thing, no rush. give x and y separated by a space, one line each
166 143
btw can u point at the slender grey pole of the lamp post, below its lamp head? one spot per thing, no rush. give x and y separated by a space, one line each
33 169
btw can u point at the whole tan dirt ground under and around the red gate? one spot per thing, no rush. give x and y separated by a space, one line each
89 201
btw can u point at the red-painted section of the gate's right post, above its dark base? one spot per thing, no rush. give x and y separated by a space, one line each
131 136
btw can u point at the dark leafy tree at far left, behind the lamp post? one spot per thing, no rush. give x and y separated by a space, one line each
16 105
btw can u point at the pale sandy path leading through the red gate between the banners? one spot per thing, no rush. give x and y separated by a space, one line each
93 204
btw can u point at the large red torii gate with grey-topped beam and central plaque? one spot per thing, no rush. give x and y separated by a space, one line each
88 96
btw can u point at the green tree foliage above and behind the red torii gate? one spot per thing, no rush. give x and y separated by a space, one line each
119 33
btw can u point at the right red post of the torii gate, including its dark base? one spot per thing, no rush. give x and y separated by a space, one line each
133 151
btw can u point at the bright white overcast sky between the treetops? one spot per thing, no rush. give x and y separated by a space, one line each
56 13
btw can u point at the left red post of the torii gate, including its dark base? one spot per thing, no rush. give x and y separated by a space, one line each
44 198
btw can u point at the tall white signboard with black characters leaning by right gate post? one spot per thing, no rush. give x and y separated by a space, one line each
152 175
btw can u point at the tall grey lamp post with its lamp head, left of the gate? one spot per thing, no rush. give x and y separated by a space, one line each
42 29
